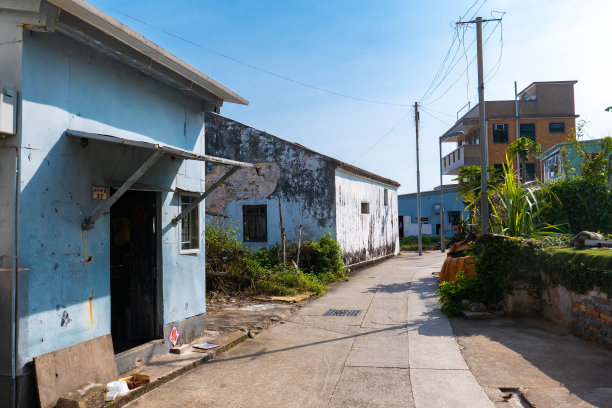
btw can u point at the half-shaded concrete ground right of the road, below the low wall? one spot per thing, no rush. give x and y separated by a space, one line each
536 355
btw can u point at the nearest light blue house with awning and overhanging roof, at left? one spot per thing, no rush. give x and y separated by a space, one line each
101 179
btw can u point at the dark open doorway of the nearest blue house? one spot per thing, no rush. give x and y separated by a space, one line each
134 240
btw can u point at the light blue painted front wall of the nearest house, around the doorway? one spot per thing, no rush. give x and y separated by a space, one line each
67 85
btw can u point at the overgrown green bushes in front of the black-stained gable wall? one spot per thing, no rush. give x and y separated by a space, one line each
262 272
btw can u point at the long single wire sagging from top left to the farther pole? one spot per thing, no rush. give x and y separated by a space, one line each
246 64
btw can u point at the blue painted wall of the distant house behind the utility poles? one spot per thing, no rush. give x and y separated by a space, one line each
407 204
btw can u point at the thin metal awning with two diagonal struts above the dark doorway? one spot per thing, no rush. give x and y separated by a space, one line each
158 151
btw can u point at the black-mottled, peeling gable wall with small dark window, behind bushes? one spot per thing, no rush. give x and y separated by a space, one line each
302 178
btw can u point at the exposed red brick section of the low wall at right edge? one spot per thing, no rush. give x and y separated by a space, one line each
592 317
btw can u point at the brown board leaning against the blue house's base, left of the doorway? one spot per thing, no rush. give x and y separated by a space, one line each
61 371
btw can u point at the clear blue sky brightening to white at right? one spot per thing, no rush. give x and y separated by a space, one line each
363 64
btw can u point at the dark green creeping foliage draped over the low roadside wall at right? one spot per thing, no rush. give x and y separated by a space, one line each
506 264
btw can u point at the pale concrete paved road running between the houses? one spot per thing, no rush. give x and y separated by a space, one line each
398 351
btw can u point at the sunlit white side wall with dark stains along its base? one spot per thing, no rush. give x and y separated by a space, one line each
365 236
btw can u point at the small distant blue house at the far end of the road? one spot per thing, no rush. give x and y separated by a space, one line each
454 210
